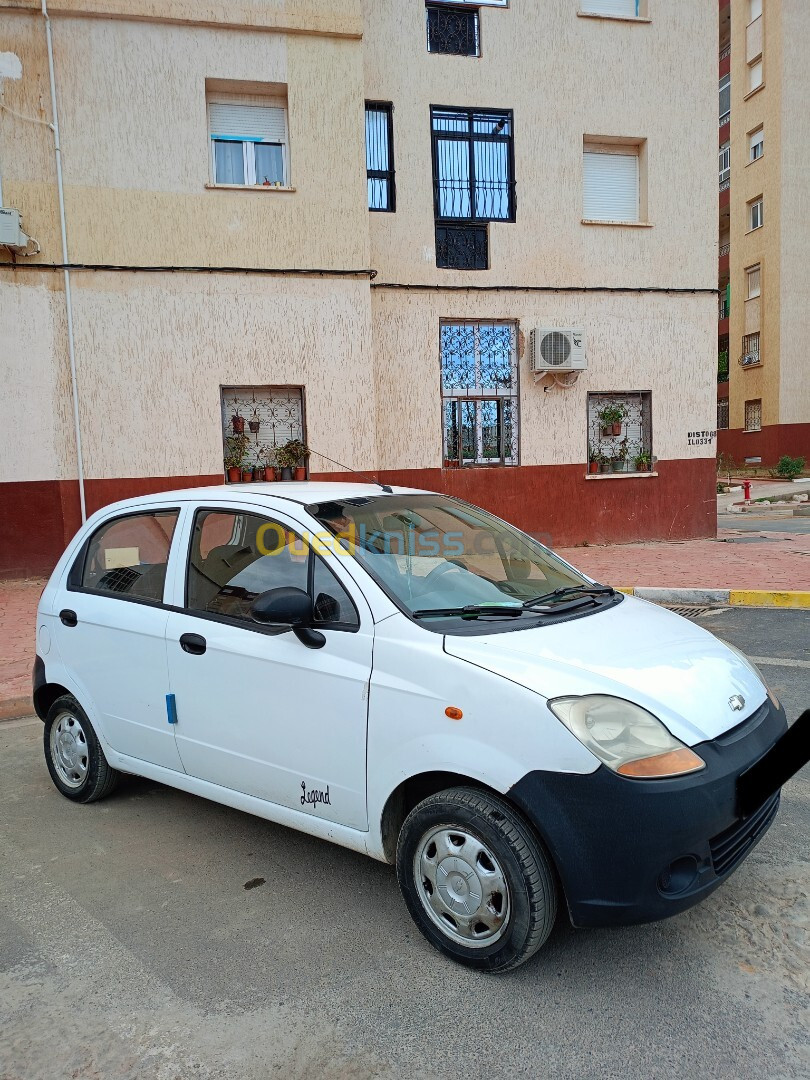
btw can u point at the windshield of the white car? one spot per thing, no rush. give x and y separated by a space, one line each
433 553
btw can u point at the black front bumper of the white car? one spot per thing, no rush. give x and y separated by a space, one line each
639 850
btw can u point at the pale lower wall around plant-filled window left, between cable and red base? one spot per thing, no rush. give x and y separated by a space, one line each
153 353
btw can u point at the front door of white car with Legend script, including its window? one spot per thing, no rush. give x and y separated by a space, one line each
258 711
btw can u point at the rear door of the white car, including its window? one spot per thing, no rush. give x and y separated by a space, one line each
112 632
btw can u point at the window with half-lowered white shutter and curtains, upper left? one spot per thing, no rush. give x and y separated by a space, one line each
249 144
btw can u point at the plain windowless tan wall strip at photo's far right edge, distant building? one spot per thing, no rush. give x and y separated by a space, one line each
795 222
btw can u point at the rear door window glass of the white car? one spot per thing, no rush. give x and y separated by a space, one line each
128 557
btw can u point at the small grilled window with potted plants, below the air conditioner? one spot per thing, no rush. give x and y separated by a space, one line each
620 451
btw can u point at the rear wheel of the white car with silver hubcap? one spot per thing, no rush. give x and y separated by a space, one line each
74 755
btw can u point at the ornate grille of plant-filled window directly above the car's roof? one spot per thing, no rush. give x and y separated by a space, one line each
271 417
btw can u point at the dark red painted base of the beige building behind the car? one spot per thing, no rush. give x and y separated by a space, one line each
556 503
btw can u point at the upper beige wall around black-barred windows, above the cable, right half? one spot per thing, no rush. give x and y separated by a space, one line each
565 77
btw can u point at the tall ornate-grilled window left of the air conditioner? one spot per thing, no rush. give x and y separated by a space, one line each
480 394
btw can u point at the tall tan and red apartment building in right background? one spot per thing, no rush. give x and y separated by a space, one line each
764 373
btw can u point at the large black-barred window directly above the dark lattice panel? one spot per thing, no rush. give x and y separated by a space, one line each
474 165
